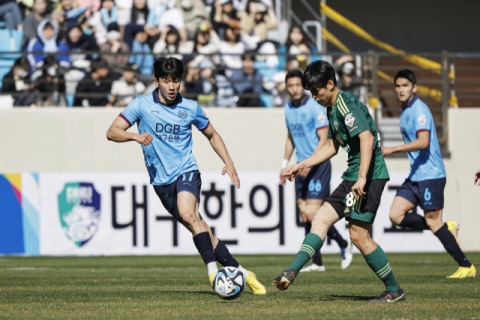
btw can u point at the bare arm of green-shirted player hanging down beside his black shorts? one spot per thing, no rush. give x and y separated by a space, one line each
366 146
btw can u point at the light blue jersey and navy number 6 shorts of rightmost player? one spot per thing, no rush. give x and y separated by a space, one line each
427 178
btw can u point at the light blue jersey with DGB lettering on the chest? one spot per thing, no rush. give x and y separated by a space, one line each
170 153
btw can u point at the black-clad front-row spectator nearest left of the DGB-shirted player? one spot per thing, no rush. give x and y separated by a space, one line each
98 83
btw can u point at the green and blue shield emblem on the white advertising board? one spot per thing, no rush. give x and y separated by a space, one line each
79 210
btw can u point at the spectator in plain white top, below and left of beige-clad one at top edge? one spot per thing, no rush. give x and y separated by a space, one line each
232 49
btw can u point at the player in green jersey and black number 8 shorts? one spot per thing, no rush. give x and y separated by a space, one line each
358 196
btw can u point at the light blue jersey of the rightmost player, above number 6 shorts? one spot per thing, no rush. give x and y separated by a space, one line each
426 164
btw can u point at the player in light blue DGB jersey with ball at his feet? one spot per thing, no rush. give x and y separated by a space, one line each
164 119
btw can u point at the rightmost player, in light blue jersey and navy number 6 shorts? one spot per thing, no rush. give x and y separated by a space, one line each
426 182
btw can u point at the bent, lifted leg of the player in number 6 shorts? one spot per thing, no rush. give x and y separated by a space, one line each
406 200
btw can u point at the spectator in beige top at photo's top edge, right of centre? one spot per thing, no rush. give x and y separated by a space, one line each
257 19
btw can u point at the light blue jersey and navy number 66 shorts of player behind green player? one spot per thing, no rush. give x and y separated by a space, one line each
303 122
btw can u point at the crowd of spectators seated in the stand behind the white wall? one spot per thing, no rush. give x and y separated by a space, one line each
100 52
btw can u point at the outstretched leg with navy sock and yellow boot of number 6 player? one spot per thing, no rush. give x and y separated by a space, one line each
440 230
